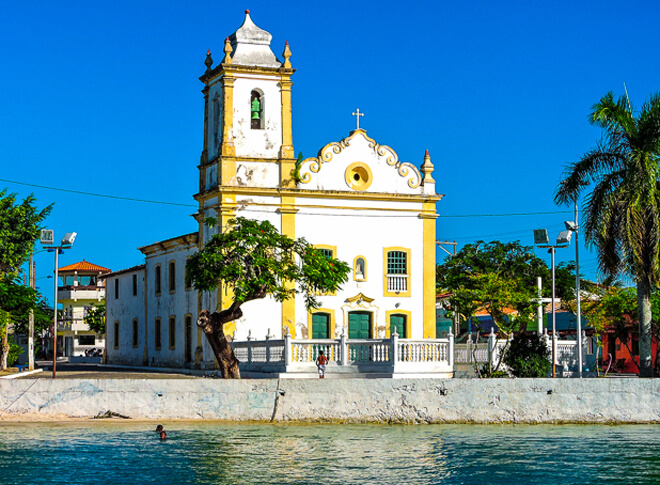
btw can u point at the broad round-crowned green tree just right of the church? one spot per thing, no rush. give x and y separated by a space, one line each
494 276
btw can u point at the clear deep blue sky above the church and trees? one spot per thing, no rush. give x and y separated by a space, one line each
104 97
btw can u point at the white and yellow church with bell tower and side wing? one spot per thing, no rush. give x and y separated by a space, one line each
355 199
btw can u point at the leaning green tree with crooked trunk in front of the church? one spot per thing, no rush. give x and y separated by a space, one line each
252 260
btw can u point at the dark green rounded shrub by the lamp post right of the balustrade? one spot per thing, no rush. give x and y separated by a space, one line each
528 356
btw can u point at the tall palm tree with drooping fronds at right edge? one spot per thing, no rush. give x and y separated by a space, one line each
622 212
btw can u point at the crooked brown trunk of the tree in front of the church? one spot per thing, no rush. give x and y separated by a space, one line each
212 324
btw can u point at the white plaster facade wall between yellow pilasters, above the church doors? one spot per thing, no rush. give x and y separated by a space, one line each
366 233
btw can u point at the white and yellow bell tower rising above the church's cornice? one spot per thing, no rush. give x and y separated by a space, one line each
248 138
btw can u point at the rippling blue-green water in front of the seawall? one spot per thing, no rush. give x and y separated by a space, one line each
128 453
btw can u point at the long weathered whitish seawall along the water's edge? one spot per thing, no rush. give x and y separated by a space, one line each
341 400
